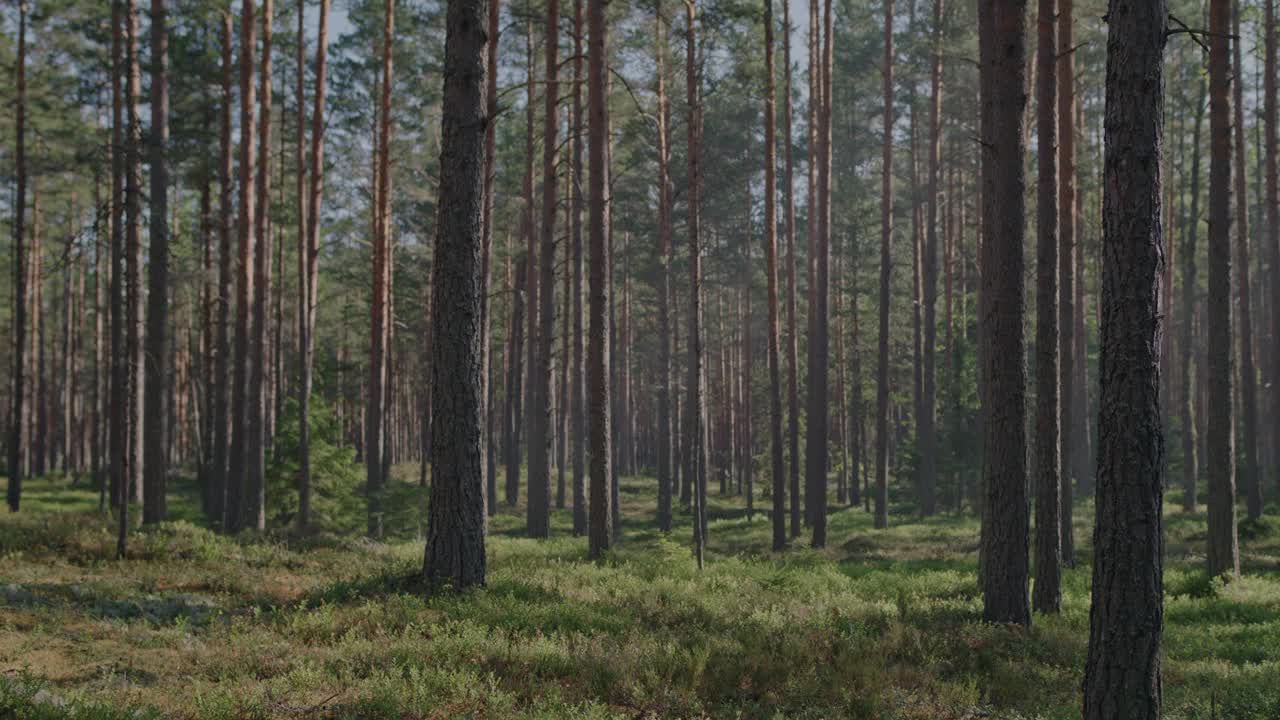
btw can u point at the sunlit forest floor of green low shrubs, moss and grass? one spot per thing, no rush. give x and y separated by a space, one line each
880 625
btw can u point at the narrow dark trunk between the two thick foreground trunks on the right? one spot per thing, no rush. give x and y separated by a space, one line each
1048 593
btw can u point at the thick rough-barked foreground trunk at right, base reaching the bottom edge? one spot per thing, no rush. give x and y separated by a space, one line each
1122 677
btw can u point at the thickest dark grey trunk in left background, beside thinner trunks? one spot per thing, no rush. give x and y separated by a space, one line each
157 439
